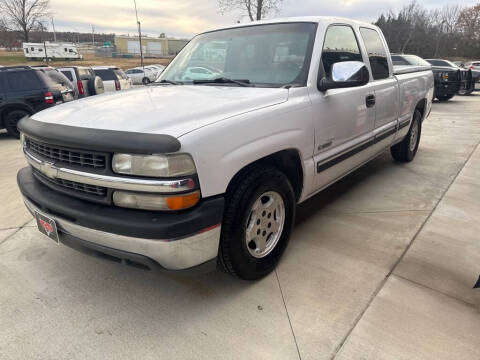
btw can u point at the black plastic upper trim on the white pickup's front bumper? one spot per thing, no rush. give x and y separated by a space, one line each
122 221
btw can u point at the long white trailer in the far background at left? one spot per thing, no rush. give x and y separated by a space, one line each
41 51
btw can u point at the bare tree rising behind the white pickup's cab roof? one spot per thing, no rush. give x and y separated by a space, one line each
254 9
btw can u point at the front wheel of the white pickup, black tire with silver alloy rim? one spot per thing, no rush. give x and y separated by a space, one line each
258 220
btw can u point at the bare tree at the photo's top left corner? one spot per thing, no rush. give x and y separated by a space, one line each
23 15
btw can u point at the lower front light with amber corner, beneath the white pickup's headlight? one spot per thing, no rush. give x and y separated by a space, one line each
155 202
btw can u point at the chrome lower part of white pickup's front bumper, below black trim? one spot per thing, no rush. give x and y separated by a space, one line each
171 254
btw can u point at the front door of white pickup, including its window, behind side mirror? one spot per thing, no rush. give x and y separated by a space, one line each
344 119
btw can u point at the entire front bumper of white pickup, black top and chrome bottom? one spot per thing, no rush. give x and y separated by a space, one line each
170 241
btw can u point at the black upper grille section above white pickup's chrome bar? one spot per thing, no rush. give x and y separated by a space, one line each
60 155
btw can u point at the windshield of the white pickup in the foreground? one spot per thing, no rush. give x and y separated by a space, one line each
262 55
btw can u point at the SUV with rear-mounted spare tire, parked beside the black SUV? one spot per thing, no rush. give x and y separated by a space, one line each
84 80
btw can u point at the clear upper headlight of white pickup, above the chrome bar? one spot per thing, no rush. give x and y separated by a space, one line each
154 165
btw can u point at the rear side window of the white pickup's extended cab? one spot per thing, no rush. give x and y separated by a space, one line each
376 53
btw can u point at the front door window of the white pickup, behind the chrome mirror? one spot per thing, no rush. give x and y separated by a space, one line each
340 45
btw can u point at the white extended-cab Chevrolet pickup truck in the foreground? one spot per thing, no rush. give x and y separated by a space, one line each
188 172
